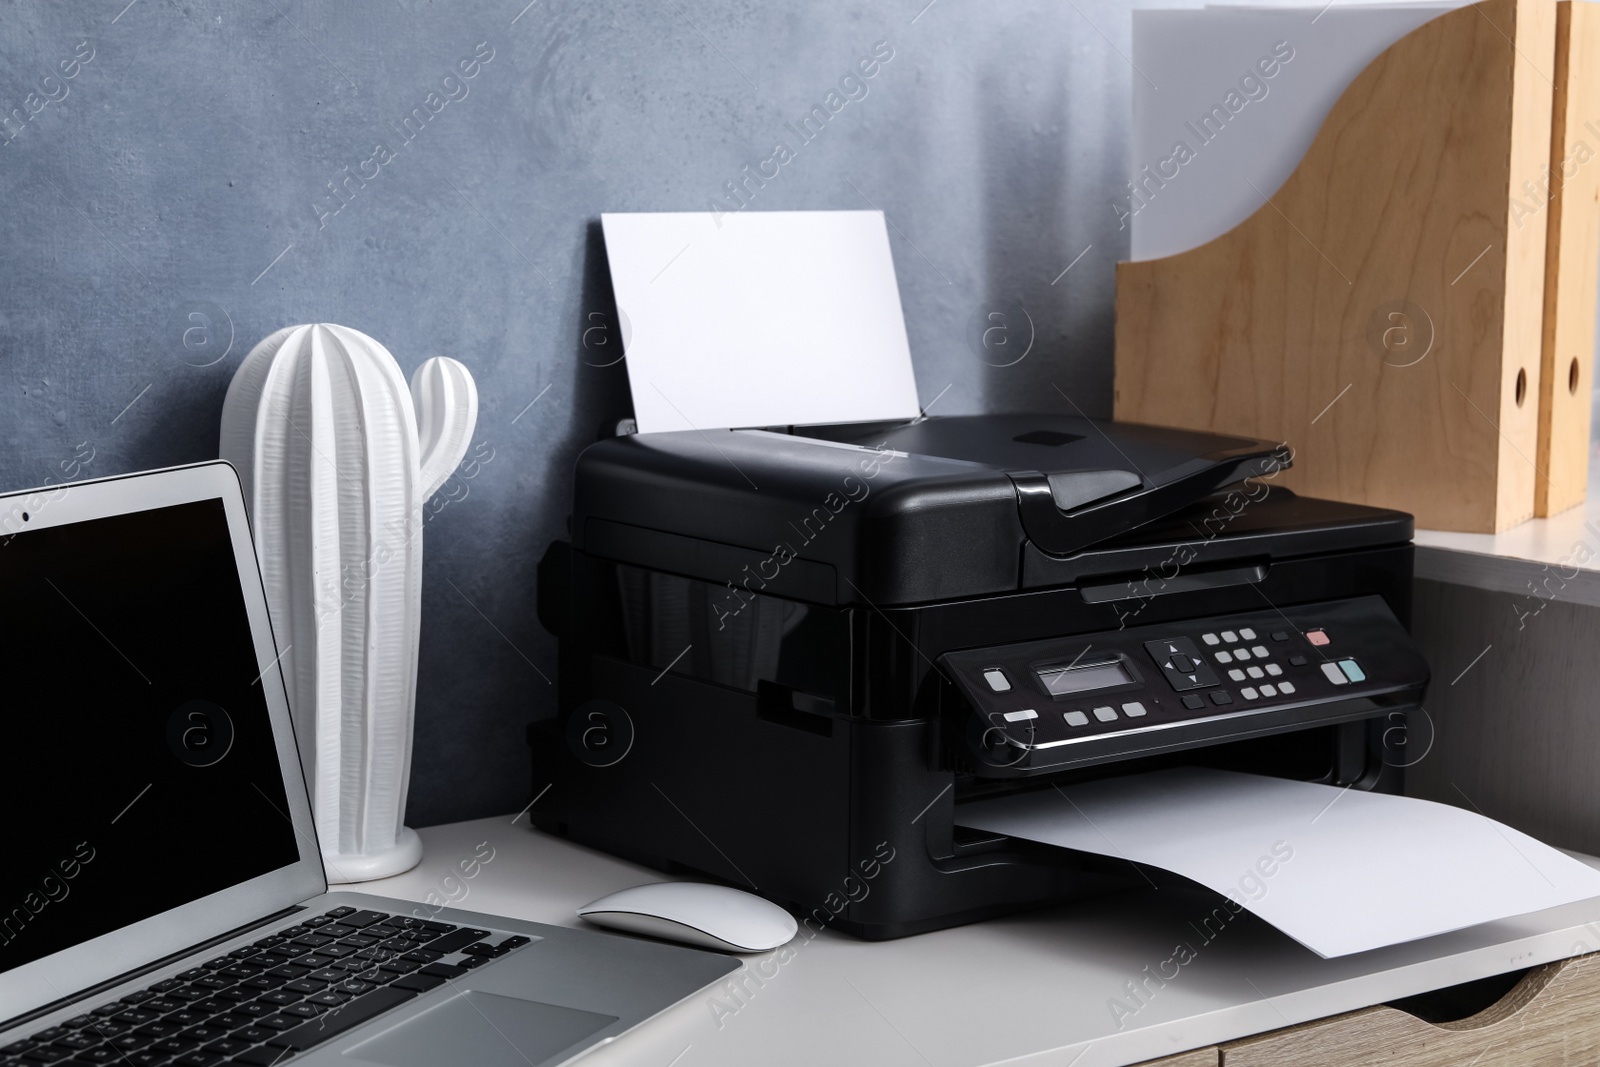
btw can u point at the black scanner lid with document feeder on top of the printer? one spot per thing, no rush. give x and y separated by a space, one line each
942 508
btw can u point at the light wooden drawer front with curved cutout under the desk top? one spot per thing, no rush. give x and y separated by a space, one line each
1550 1020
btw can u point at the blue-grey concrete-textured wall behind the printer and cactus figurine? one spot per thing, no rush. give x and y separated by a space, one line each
169 206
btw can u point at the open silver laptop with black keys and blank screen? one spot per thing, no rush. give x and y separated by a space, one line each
162 895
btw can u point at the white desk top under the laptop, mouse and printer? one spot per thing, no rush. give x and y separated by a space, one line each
1028 989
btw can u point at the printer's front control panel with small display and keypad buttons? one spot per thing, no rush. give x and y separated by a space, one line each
1094 698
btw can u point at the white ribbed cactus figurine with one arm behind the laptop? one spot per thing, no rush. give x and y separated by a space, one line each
338 458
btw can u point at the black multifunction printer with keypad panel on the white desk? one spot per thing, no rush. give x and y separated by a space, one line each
788 657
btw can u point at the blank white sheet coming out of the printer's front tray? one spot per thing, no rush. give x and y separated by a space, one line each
1337 869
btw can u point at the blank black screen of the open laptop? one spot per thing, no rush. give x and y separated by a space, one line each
138 769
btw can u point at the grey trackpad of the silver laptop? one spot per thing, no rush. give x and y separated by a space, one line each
482 1029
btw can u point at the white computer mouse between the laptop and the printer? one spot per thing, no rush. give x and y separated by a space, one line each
695 914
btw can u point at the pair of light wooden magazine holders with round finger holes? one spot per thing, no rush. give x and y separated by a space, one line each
1396 311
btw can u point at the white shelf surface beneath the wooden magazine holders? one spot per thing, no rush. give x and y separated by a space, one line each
1553 559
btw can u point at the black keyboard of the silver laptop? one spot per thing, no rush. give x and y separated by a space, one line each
271 1001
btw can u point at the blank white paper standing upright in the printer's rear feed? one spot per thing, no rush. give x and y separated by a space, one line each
761 319
